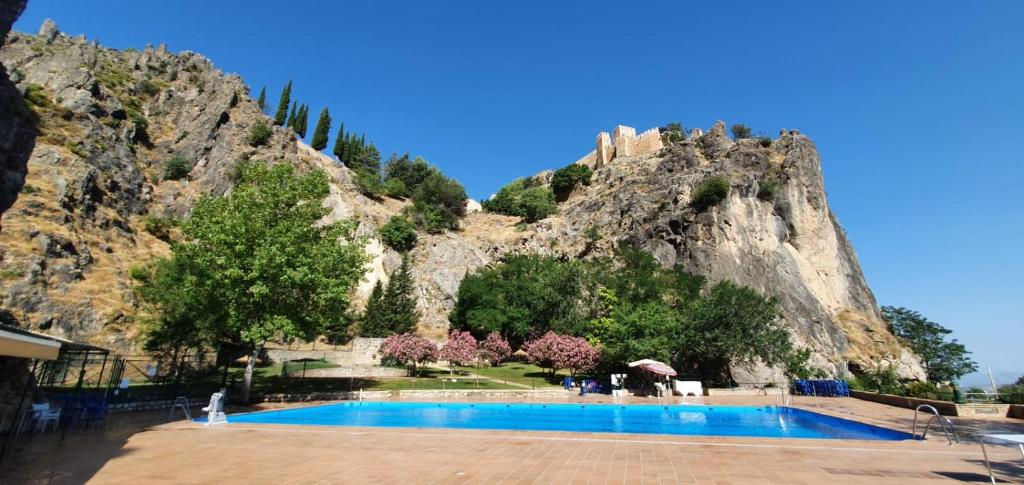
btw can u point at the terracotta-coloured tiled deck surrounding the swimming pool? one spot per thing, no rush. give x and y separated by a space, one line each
184 453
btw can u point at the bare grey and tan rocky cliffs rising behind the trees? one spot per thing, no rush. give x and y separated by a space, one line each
110 119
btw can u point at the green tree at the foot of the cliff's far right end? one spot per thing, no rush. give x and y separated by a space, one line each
944 360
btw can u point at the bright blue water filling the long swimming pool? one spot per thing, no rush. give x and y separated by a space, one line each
771 422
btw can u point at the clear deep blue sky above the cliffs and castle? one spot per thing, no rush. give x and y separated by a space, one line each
917 107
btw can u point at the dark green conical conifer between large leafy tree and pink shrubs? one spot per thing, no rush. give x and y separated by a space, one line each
396 311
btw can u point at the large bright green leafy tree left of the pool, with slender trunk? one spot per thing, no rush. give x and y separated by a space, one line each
259 263
